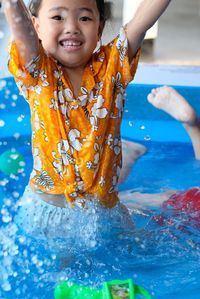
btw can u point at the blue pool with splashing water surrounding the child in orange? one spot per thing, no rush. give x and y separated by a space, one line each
164 259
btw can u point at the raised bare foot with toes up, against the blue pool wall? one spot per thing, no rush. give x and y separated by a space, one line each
170 101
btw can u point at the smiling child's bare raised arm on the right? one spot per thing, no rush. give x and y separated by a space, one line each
146 15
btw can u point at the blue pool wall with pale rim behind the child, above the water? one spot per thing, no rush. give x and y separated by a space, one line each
141 121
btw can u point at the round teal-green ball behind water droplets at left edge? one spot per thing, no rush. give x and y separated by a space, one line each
11 162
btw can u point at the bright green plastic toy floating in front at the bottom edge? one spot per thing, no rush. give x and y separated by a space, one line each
116 289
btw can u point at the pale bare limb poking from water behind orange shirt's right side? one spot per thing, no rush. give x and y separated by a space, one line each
131 151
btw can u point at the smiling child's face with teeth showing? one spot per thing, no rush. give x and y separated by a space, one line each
69 30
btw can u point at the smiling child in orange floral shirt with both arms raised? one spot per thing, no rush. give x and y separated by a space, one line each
76 97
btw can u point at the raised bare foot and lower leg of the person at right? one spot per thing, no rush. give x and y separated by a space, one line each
170 101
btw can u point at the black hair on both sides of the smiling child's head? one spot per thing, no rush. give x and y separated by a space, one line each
34 6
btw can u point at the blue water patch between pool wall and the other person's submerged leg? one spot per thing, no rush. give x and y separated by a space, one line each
165 166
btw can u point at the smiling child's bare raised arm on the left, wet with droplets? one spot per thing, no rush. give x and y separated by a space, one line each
22 29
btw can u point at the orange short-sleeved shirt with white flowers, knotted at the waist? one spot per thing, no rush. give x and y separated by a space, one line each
76 142
